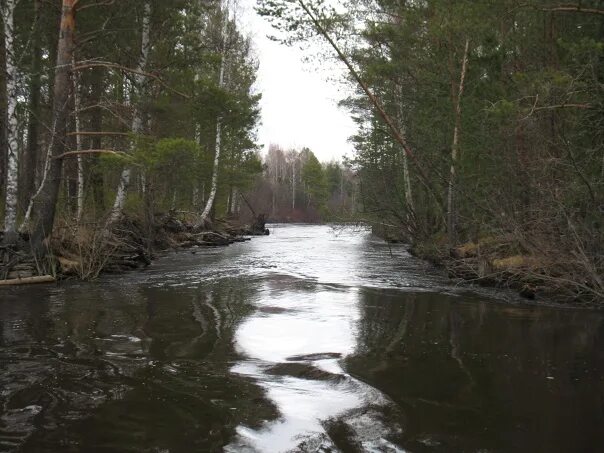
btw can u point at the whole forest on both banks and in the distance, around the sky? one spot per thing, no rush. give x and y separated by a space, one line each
479 128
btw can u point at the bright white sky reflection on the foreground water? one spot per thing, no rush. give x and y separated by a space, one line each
292 348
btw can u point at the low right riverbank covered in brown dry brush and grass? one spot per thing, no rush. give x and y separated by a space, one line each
533 270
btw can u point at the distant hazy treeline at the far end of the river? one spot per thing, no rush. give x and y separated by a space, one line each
296 187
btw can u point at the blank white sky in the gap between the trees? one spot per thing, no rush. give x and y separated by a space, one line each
299 105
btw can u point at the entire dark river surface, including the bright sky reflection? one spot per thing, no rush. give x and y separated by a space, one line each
308 340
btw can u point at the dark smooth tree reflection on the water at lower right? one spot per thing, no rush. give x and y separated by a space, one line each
475 376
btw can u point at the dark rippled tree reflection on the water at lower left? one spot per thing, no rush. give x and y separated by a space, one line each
119 367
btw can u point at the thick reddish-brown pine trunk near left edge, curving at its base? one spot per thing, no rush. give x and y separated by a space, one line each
43 206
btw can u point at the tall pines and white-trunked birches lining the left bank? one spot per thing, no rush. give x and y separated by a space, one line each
122 107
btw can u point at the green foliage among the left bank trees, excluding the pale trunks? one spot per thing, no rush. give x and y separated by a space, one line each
180 101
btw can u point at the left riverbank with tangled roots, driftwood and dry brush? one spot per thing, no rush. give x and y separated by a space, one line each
87 250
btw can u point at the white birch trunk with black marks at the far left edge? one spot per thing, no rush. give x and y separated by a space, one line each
12 133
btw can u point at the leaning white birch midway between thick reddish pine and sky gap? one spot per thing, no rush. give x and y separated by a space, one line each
137 120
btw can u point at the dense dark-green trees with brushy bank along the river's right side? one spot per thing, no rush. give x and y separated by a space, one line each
479 123
